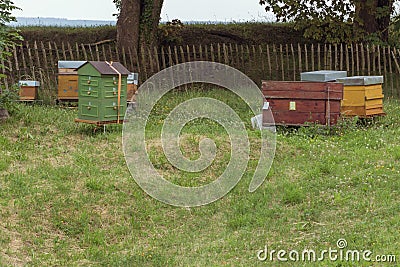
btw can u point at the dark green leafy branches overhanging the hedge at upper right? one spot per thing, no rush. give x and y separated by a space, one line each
330 21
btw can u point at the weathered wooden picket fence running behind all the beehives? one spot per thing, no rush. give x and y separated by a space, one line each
38 60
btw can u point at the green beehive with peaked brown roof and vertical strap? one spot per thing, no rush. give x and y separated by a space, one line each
100 98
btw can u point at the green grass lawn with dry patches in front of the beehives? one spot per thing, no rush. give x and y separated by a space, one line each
67 197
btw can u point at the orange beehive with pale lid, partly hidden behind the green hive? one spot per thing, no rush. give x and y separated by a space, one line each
68 80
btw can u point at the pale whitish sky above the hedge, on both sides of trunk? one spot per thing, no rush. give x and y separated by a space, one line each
185 10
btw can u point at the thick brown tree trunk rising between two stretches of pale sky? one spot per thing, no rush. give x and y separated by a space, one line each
137 24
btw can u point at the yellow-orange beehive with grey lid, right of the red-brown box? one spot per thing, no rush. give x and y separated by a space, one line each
363 96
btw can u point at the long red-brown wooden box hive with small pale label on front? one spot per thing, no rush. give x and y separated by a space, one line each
297 103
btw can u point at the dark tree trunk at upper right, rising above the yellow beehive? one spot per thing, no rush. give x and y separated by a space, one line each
373 17
